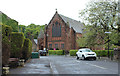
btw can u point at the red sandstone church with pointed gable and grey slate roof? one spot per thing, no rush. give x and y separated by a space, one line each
60 33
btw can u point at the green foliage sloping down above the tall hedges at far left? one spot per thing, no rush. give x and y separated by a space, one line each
8 21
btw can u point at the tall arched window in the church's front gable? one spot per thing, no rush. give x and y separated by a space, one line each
56 30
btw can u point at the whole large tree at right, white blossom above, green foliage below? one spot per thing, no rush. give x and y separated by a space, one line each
99 17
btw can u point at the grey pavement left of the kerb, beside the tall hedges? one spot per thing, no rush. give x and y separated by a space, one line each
34 66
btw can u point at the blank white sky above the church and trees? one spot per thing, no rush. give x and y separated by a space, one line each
40 12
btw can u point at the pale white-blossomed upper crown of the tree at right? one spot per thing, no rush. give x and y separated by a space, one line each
104 14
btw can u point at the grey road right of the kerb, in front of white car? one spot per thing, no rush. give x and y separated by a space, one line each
69 65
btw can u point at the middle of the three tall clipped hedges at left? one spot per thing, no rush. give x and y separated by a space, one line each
17 41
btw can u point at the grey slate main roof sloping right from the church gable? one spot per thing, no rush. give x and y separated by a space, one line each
77 26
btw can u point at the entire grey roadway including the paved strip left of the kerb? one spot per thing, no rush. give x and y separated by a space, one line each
66 65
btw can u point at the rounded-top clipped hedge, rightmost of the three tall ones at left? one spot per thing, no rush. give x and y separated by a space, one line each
27 49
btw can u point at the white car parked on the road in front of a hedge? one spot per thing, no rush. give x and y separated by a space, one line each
86 53
